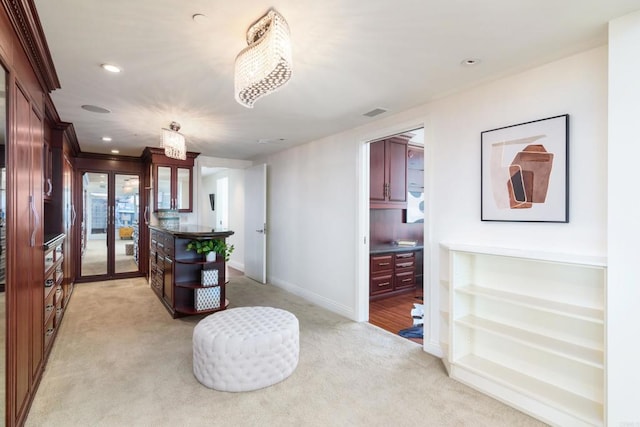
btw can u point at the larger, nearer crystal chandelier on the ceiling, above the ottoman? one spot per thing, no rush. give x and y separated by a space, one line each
265 65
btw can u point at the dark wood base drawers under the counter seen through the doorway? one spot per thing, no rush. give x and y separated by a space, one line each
392 273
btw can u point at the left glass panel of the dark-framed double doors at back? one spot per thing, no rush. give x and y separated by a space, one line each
95 220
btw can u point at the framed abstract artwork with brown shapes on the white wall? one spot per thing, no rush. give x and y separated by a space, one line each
525 171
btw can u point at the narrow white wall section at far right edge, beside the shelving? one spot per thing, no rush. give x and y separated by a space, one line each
623 288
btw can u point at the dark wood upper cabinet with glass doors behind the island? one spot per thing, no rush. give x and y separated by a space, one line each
172 180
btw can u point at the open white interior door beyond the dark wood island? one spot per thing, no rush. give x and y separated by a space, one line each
255 206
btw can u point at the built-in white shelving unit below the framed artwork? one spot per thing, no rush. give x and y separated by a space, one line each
529 329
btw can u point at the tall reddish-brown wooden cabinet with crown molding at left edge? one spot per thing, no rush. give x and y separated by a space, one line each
30 77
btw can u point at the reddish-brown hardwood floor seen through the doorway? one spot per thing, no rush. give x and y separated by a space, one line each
393 314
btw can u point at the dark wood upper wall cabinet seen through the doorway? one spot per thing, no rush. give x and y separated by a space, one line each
388 173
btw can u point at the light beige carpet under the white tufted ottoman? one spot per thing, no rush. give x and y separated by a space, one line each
121 360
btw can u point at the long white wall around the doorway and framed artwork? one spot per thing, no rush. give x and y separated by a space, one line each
315 204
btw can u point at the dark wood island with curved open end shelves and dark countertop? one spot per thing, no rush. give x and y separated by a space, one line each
176 274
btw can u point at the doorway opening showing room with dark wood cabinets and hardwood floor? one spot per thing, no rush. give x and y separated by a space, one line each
396 233
